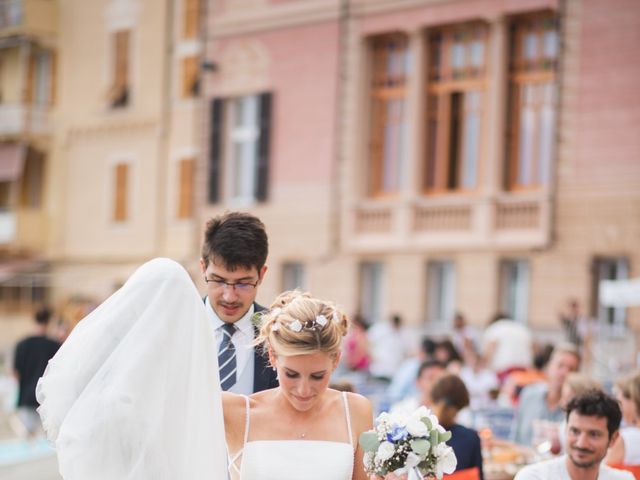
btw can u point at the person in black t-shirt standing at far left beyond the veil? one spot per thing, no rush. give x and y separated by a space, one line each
29 363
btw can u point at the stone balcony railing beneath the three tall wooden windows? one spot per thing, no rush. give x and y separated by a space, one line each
504 220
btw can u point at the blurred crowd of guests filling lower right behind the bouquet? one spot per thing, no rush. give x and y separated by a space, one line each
497 386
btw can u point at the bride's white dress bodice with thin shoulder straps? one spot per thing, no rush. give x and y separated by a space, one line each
294 459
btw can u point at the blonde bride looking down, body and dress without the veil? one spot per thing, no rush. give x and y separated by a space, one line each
302 429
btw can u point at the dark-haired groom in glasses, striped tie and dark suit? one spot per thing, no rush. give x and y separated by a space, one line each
233 264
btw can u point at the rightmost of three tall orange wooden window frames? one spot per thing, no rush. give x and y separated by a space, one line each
522 73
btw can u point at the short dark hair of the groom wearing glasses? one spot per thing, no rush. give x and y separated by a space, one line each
237 239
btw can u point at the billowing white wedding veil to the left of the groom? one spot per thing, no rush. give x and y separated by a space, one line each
133 394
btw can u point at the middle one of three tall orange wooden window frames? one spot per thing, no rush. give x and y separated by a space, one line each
443 170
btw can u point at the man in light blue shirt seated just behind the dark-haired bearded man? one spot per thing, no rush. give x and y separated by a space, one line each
539 411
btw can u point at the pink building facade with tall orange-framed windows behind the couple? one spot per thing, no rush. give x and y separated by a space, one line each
422 158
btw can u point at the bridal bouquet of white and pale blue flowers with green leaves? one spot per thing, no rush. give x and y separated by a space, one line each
412 445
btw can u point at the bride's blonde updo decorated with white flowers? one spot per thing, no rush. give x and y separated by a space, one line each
297 323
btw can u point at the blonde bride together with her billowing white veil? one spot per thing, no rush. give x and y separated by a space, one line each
133 394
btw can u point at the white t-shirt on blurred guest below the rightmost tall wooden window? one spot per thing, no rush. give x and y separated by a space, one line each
513 345
